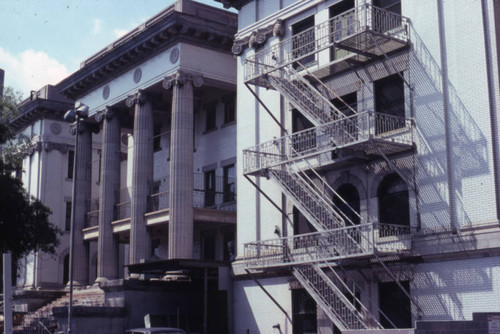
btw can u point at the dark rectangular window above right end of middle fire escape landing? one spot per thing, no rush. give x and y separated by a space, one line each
389 103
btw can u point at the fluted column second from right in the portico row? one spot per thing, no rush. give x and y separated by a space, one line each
142 174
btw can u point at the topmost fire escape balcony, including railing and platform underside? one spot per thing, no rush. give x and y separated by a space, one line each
365 32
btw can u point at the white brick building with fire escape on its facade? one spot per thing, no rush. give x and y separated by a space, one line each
368 170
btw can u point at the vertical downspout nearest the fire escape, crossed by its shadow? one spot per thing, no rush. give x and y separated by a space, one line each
450 162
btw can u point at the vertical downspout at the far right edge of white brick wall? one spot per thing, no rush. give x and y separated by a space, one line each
492 104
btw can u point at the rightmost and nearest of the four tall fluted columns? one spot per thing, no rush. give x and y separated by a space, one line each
180 238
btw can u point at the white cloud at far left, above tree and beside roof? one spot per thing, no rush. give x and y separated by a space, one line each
31 70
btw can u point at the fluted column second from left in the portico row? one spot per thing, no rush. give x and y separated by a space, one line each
107 247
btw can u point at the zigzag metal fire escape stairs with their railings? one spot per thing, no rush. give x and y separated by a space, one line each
274 67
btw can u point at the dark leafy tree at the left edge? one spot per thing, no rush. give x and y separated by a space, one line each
24 221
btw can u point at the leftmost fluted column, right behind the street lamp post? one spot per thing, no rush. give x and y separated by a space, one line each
83 178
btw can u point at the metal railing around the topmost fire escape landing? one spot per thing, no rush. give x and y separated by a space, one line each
362 19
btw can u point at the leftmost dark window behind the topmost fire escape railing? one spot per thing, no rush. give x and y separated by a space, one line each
303 42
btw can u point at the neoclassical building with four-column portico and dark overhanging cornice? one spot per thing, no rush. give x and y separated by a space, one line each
155 205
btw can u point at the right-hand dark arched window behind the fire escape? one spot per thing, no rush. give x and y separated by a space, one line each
393 203
